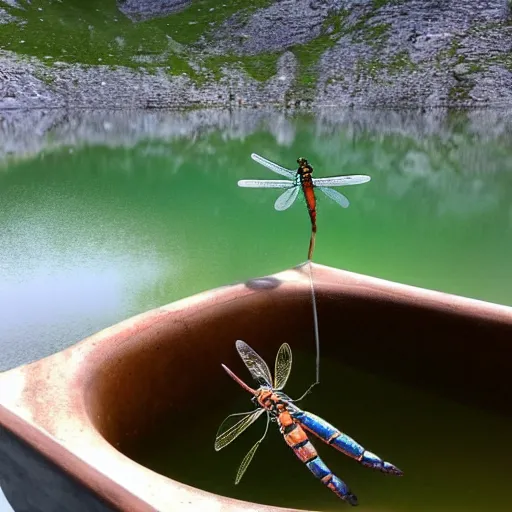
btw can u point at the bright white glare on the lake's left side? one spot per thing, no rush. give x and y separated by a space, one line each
50 280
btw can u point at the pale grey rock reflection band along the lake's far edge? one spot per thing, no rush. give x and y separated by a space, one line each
26 133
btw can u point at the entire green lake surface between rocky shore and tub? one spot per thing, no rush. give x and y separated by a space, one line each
106 214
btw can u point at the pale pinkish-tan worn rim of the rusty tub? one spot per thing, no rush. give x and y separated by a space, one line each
63 440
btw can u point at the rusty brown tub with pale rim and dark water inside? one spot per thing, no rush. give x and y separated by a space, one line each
420 378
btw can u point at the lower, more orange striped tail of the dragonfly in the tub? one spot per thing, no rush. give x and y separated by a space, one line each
297 439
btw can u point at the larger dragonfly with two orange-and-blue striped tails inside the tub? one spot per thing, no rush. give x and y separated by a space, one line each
293 422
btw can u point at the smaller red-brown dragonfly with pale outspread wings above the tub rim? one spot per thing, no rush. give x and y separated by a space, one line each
301 178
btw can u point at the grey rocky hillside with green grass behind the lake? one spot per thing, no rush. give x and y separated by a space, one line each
176 53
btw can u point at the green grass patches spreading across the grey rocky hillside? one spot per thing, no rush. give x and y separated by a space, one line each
96 32
